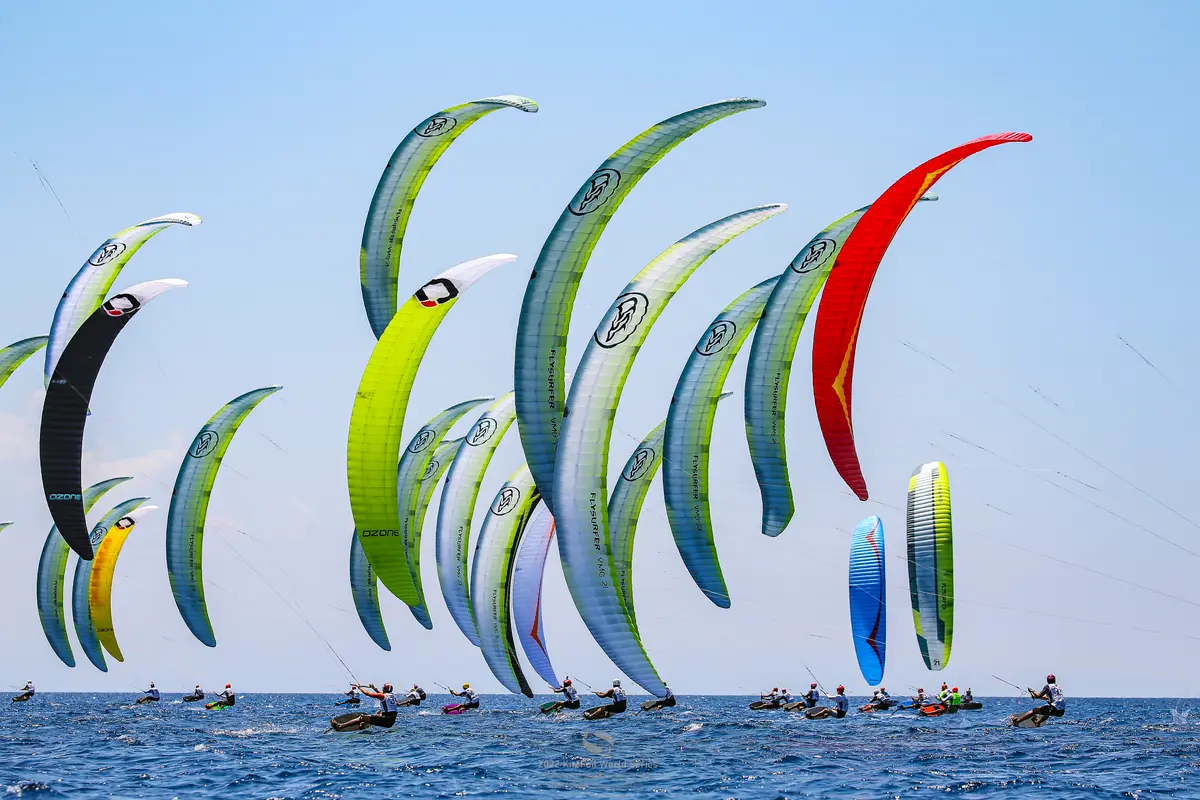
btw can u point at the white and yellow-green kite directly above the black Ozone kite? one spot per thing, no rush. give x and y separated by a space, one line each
88 288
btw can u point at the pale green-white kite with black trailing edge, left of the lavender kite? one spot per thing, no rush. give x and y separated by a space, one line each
491 576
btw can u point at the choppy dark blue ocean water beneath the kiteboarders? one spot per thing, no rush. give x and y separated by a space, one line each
278 747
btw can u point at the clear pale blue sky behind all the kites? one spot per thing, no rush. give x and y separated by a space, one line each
995 339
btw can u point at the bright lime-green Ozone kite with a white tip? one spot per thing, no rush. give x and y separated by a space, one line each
377 422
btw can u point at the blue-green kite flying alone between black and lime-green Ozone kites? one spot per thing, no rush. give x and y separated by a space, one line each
190 509
